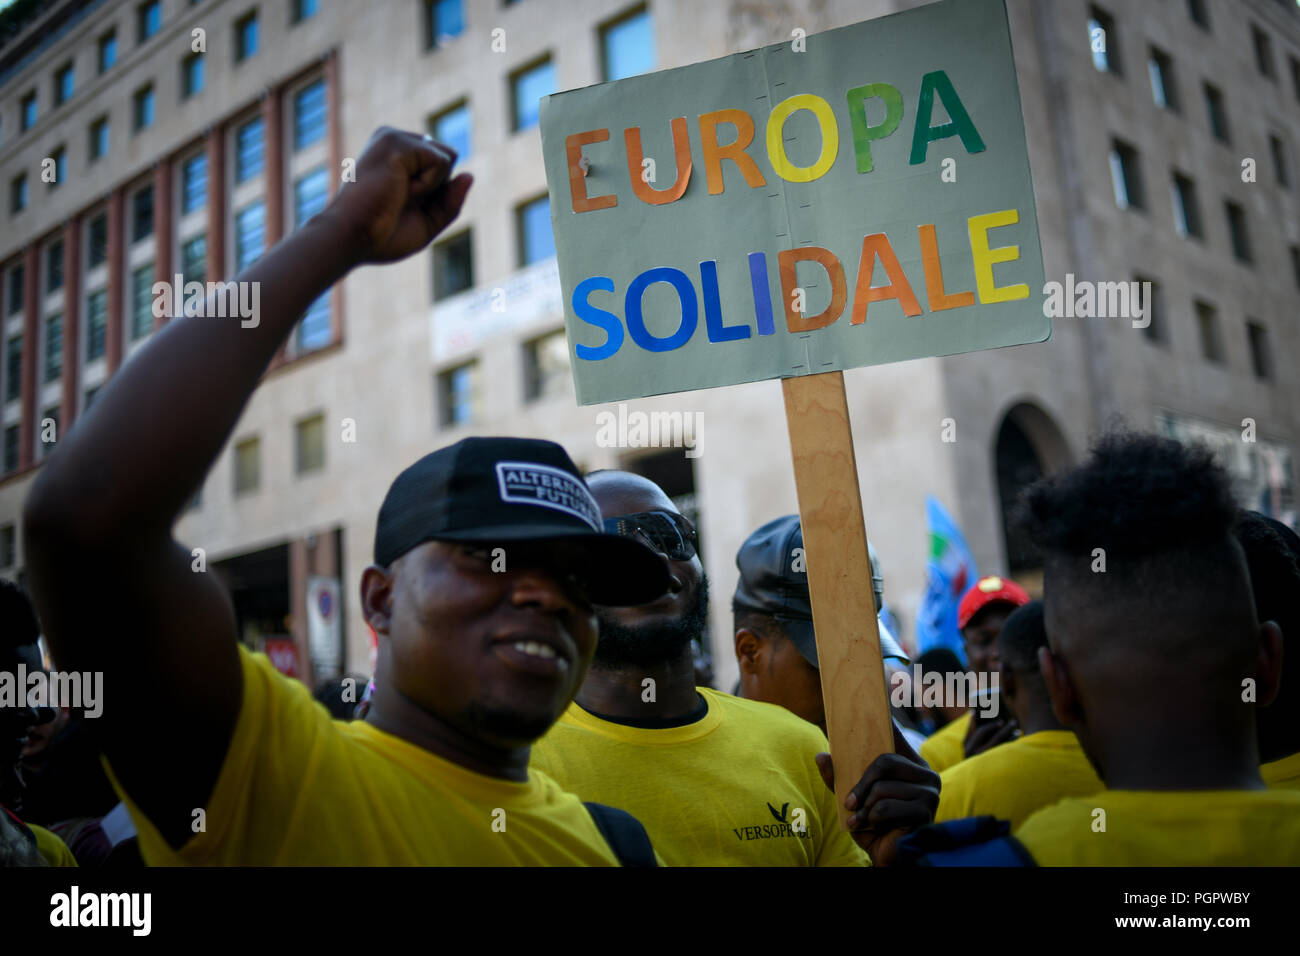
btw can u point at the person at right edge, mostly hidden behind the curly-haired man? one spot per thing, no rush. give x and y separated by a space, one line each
1273 557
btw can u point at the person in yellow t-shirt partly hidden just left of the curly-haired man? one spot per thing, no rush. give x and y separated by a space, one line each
1037 769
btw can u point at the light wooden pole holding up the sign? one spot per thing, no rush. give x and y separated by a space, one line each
835 548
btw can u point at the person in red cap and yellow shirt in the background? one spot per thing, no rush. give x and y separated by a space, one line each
983 611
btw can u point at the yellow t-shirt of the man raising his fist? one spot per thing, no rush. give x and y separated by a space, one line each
301 789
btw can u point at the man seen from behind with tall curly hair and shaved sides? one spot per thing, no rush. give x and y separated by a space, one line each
1147 663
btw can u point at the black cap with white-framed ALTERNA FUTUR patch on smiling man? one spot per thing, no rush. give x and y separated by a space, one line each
514 490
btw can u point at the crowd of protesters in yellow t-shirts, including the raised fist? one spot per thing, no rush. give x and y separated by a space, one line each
535 698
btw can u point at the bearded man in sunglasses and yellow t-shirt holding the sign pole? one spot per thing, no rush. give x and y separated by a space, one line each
717 781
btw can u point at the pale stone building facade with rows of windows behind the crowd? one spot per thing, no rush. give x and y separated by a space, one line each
148 141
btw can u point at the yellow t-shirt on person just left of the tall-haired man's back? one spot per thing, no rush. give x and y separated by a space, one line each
1015 780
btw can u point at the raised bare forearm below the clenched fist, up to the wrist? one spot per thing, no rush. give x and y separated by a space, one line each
154 434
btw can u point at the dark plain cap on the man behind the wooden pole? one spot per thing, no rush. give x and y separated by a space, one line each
770 585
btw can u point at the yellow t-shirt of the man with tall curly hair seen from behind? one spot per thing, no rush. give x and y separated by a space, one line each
1197 828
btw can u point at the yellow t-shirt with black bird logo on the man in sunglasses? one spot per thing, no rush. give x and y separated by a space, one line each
723 791
